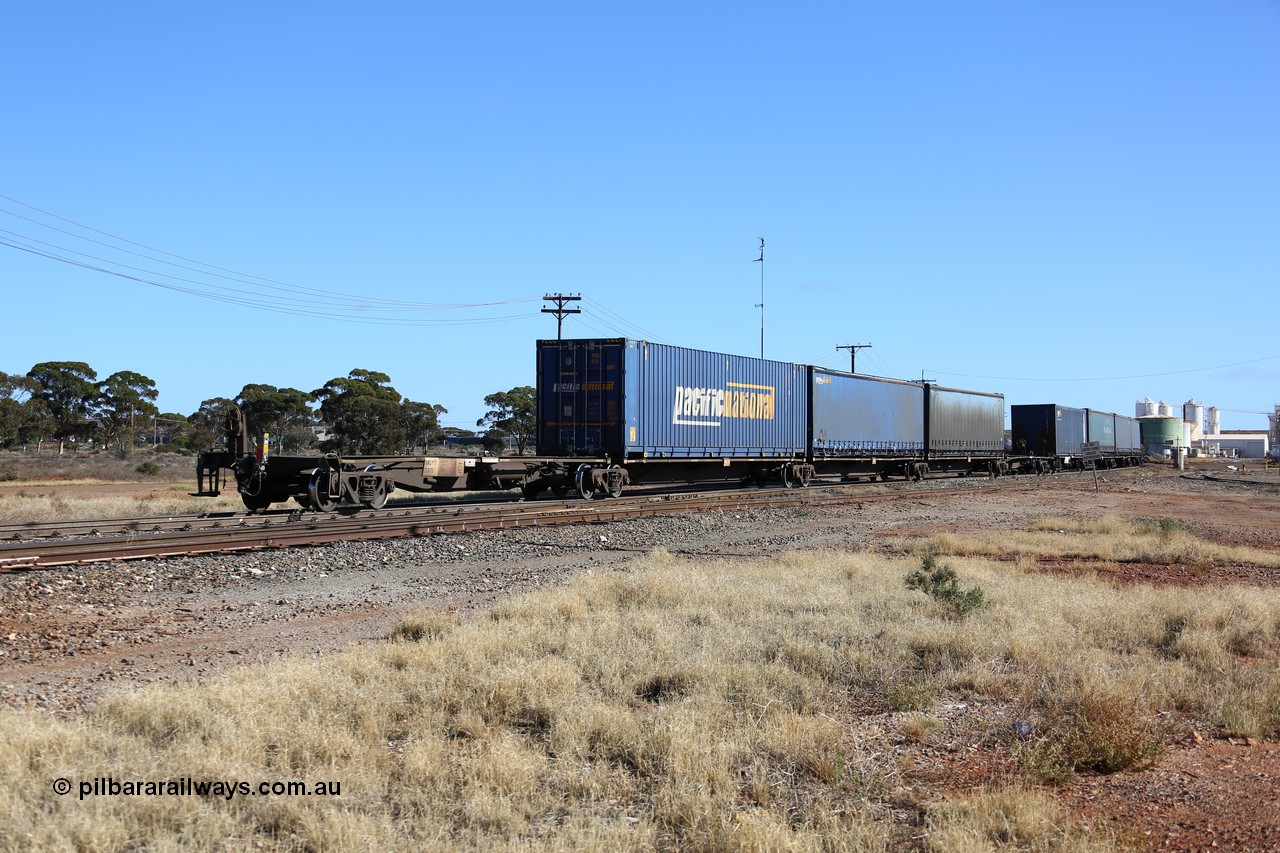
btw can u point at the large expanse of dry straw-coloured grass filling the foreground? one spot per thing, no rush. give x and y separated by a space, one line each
679 705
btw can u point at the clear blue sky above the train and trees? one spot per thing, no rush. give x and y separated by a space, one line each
1066 203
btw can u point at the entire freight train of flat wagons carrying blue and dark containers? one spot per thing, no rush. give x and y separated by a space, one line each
614 412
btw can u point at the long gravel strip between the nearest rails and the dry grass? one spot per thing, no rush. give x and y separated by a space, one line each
66 635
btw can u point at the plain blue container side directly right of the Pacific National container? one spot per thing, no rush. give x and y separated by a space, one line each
856 416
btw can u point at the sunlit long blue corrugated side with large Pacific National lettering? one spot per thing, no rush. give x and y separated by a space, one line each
692 404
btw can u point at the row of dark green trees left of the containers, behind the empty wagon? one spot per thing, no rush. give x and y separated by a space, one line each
359 414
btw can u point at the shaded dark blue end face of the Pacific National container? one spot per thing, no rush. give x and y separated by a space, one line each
580 398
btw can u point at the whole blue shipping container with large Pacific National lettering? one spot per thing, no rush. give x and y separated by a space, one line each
634 400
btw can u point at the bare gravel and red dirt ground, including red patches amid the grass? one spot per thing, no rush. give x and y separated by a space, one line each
67 636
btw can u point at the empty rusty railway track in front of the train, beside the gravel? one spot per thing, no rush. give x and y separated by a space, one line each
184 536
